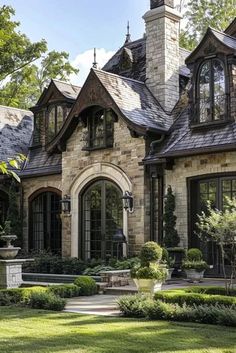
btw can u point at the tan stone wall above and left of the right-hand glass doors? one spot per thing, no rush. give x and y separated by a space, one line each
189 167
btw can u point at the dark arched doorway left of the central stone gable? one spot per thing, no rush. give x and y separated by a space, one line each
45 221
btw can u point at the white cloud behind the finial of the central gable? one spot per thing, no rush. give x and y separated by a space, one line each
84 63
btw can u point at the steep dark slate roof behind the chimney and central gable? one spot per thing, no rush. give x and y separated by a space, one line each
136 50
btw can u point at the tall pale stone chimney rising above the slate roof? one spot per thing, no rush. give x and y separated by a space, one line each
162 52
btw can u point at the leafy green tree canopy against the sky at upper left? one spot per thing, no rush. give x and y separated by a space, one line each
17 62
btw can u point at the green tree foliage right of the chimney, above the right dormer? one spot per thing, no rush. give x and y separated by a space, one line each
201 14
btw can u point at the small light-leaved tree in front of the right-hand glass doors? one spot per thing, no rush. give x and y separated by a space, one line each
220 226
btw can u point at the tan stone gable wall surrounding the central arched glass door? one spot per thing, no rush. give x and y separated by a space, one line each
124 159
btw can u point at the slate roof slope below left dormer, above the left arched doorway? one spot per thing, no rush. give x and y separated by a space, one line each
39 162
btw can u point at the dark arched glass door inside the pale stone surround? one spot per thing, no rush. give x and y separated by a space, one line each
102 217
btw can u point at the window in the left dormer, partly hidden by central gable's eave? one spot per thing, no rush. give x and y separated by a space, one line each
55 119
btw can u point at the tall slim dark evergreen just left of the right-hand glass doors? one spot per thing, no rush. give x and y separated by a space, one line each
171 237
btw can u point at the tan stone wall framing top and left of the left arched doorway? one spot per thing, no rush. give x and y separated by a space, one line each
30 186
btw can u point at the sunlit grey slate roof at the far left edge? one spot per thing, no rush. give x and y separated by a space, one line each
16 126
